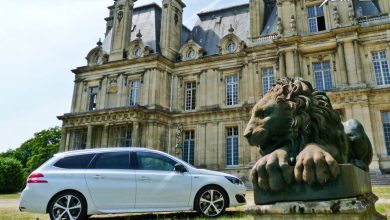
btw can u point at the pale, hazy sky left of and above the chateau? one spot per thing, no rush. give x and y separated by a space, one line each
40 42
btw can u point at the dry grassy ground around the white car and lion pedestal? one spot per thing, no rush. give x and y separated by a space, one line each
383 192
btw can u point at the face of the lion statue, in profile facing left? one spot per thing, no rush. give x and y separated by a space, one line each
270 124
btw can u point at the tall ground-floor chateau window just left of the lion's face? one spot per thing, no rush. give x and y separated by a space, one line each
232 146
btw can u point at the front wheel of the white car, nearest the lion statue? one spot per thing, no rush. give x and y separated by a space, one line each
211 201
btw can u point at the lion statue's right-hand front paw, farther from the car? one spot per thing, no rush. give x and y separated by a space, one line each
315 165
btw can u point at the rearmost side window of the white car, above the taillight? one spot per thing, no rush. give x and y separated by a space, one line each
75 162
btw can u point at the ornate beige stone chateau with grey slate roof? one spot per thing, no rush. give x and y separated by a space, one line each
153 82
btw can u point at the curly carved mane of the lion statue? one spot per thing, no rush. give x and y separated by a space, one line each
313 118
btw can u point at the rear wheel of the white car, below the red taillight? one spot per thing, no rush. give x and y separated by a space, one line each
68 203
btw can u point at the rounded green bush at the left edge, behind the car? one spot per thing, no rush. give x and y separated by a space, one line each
11 175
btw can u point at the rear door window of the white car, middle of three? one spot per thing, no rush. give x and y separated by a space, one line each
112 160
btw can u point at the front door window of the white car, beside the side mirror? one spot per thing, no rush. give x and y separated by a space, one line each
153 161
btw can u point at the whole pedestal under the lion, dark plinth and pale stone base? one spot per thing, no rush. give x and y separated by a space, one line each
349 196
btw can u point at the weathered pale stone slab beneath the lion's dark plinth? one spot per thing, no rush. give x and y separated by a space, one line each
359 208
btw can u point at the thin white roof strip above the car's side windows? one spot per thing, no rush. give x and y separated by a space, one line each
101 150
